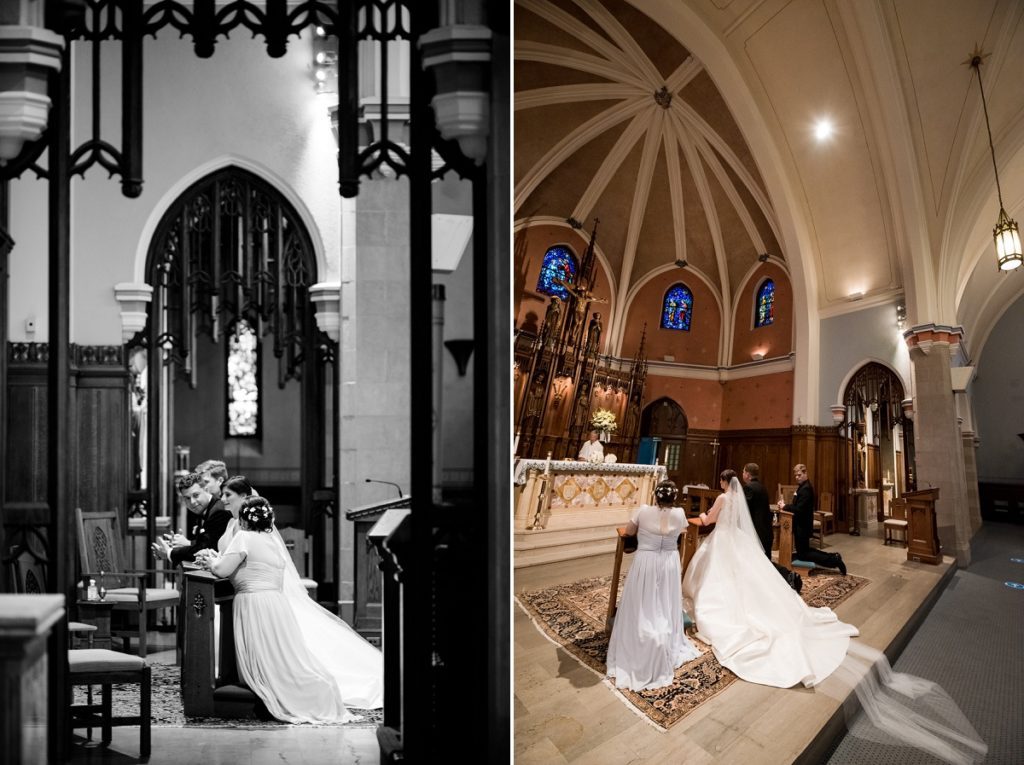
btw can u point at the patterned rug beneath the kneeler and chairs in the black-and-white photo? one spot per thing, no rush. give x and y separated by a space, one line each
167 710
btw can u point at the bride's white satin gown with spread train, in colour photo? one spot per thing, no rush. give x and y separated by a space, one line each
756 624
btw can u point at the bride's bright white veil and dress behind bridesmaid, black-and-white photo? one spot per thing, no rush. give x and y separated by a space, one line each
356 666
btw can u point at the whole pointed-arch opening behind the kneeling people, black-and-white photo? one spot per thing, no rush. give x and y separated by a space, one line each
232 365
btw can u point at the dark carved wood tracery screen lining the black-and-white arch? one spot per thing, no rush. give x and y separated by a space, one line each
233 249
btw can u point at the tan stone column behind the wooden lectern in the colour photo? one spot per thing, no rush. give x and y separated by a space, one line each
940 457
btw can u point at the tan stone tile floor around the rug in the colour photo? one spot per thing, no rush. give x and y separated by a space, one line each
565 714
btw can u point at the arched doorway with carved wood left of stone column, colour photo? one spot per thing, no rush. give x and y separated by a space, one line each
876 455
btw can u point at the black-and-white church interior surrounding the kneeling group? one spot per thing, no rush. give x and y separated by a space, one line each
275 235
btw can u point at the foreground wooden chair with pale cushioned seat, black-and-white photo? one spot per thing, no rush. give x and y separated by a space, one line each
105 668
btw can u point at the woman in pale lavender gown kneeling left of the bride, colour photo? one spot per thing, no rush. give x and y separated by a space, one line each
648 641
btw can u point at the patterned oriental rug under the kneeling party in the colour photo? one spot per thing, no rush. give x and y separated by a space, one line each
573 617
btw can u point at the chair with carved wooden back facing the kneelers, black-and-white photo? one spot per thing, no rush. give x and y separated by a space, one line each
101 547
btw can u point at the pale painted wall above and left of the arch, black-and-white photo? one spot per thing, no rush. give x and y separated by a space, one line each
240 107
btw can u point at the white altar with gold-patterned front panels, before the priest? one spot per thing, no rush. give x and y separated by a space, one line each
570 509
